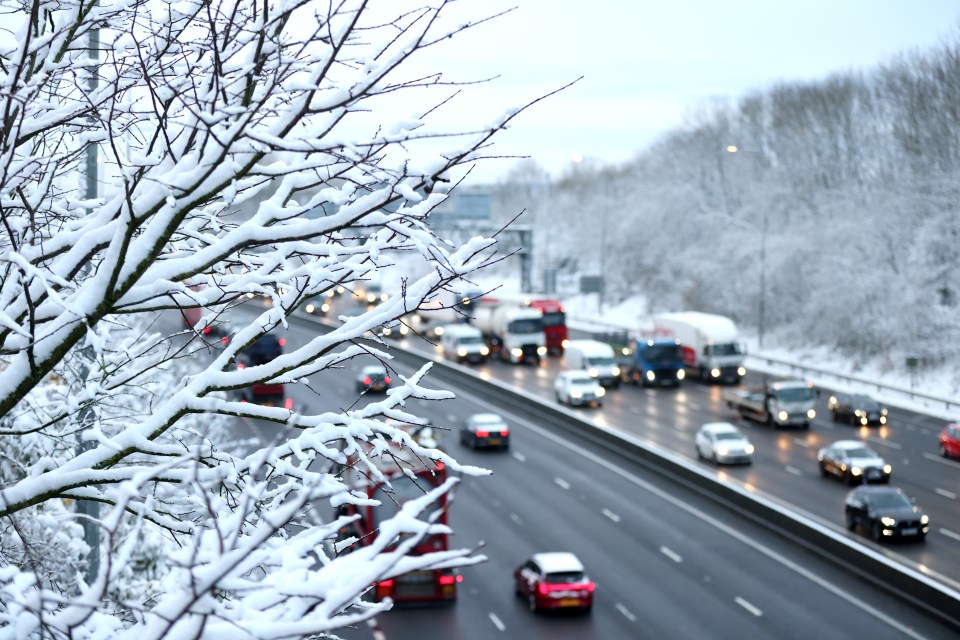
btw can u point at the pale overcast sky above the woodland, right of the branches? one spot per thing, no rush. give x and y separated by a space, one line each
645 65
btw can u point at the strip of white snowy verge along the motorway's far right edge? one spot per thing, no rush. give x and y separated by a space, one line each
932 392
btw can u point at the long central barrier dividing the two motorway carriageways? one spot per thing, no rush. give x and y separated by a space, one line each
922 592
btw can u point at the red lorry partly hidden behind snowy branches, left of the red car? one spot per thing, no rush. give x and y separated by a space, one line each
401 475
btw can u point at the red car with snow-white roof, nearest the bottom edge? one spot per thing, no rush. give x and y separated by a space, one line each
552 581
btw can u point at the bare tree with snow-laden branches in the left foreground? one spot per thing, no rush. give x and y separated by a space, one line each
243 148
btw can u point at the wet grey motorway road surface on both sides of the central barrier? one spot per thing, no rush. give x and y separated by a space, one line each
666 559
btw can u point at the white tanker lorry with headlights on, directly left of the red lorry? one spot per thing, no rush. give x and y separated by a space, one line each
513 332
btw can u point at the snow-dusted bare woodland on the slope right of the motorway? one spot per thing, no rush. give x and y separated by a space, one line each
836 221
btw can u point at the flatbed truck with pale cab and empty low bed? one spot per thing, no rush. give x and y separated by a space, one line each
777 403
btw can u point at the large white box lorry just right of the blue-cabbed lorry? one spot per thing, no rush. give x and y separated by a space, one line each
710 343
